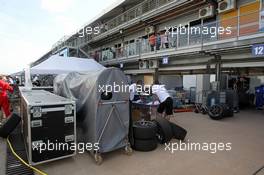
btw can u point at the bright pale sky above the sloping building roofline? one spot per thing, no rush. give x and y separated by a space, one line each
28 29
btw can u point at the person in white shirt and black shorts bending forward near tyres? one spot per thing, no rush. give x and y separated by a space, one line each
166 102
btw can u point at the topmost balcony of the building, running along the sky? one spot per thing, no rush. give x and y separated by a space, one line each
128 18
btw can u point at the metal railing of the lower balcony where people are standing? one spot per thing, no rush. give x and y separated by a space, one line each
243 25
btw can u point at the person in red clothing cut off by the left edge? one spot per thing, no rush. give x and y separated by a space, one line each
4 102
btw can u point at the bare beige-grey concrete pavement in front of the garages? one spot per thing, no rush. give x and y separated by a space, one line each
244 131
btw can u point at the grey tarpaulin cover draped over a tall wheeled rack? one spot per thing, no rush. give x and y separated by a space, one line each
95 114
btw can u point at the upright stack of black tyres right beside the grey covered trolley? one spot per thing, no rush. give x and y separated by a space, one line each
144 136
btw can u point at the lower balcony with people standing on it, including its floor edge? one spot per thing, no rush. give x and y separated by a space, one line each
243 28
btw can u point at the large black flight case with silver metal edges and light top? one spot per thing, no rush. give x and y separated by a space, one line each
48 126
